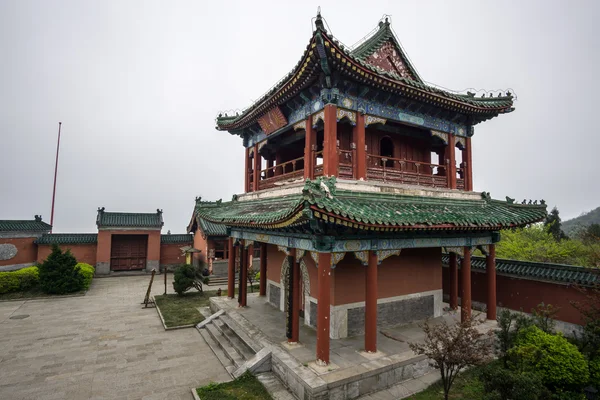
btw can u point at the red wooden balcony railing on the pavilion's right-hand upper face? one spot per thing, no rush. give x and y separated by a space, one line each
410 172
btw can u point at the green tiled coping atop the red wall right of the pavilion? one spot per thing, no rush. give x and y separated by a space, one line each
568 274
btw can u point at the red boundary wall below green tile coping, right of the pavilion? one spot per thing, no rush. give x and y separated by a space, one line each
523 294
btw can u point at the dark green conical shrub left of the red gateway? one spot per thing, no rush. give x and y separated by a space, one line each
59 273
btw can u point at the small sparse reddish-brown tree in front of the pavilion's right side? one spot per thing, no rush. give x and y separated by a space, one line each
454 347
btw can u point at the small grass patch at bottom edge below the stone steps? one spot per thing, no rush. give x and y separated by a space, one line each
246 387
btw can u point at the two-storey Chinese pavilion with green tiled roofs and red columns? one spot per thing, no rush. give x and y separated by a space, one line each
358 178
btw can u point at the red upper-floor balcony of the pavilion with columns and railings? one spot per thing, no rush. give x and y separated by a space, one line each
393 153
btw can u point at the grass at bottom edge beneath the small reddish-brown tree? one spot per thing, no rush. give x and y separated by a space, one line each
467 386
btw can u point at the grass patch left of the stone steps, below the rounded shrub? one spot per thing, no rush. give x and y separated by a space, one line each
183 310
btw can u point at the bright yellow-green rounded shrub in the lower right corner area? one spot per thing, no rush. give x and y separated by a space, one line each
558 362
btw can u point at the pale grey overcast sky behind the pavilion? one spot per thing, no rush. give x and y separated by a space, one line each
137 85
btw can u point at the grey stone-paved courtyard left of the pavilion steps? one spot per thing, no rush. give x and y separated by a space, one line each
100 346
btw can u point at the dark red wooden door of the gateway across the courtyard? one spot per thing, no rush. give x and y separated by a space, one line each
128 252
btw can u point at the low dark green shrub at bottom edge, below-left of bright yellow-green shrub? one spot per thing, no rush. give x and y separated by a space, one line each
505 384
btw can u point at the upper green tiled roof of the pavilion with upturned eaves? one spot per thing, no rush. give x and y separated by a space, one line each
324 53
